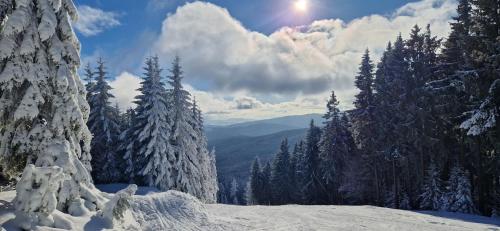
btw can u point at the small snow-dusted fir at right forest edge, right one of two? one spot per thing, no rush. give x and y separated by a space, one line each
460 194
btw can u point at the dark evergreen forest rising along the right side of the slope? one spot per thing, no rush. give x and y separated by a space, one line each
422 135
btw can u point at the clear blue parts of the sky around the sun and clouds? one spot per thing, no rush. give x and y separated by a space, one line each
140 21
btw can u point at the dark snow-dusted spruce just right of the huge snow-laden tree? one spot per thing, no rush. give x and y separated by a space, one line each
104 125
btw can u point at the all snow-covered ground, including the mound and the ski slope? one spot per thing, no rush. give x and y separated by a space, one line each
178 211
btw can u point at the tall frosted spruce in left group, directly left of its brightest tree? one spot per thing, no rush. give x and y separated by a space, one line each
147 151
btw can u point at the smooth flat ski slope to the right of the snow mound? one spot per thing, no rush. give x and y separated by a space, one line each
301 218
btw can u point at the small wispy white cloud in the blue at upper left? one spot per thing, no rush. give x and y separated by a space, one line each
92 21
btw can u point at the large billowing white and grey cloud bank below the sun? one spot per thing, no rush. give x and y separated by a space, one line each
291 71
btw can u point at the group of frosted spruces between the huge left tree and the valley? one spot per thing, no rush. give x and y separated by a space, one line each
159 143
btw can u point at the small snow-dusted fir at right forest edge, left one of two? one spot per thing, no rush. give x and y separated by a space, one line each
432 190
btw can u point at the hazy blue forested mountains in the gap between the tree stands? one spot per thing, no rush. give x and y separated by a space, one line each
237 145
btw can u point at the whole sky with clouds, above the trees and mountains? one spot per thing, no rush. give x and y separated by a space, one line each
250 59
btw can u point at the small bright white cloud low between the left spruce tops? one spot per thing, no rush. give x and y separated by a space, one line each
125 88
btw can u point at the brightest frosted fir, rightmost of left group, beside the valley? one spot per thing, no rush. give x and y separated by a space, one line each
194 168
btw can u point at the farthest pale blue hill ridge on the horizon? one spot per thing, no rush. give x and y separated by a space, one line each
261 127
